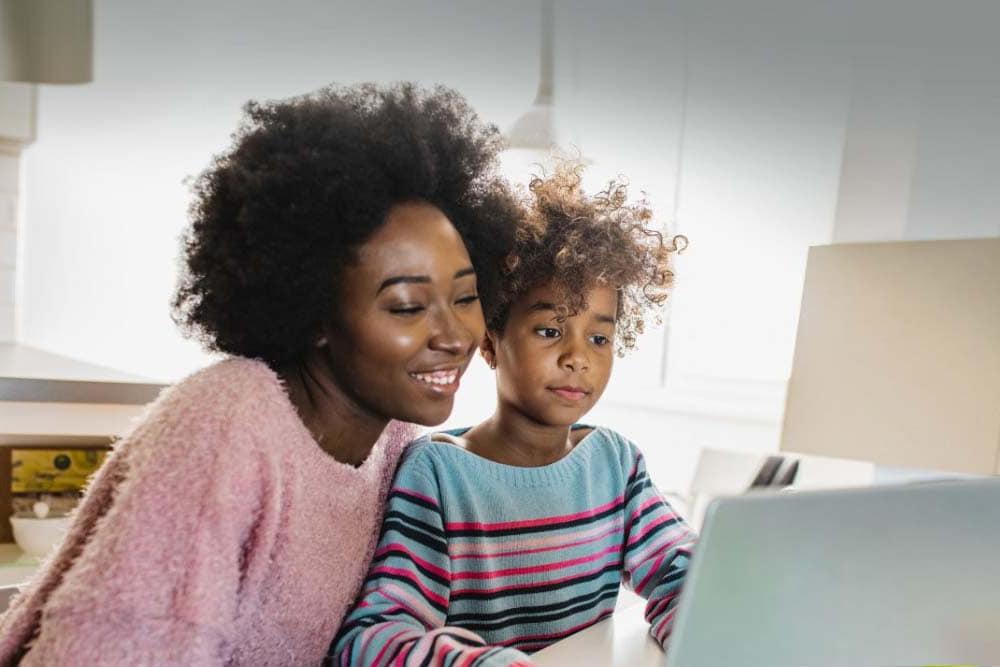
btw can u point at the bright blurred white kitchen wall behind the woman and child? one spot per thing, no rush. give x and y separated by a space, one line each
756 128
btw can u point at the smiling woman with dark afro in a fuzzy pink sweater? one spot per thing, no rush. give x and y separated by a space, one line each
234 524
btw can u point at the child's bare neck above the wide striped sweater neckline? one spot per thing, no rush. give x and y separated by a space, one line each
512 438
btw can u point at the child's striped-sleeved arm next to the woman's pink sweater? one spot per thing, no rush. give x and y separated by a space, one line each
401 614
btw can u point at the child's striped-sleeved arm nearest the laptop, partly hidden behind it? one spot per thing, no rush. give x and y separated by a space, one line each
657 552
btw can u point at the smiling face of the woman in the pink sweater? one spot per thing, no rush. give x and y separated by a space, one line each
410 318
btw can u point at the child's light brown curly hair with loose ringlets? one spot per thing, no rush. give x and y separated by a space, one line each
575 242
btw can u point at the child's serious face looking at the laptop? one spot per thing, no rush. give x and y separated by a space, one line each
553 369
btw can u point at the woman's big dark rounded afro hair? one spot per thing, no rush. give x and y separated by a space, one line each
278 217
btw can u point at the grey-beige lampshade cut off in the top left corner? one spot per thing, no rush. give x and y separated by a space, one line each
46 41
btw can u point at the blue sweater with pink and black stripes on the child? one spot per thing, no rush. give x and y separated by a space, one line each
480 563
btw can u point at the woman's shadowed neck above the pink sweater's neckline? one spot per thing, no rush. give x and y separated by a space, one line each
340 427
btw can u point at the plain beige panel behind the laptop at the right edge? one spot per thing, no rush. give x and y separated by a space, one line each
897 357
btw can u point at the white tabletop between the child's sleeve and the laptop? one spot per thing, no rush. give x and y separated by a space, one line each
618 641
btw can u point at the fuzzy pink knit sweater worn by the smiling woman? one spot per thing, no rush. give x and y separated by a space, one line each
218 532
